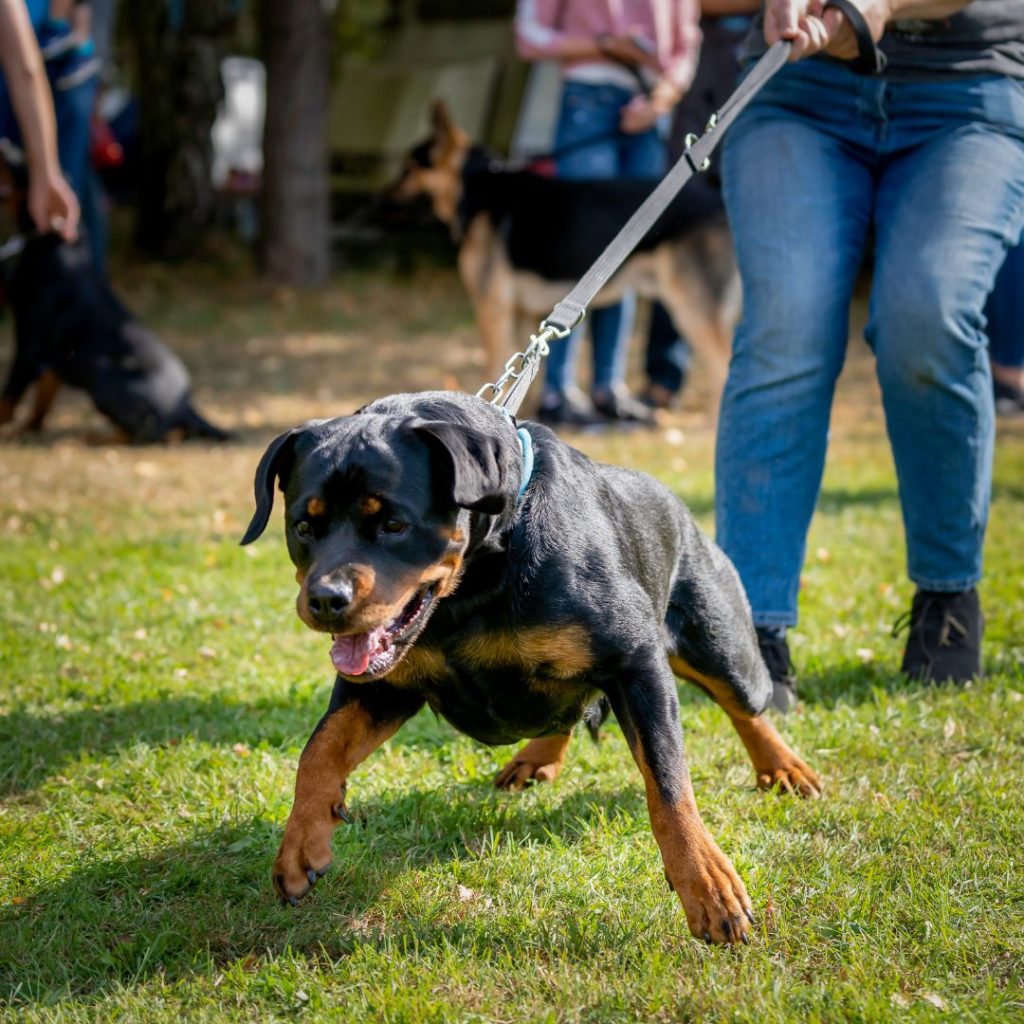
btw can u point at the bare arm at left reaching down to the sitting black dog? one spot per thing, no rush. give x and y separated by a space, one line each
52 202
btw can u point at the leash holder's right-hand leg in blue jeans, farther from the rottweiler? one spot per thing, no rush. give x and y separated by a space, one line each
949 209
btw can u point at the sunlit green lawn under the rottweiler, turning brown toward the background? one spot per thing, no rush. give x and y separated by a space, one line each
158 690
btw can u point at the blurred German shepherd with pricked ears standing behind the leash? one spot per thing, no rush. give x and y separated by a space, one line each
525 239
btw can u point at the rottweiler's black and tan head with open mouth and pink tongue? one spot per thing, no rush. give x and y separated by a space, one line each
382 509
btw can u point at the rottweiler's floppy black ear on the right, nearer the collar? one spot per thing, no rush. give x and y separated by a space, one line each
474 462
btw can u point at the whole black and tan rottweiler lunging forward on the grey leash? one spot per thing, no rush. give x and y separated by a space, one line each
518 588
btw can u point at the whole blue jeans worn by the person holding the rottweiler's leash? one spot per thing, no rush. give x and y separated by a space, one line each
822 162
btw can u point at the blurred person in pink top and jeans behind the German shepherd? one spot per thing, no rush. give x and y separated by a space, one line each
625 65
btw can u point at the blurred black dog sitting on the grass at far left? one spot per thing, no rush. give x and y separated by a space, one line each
72 329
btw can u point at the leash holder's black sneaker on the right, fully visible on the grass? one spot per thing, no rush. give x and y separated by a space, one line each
945 639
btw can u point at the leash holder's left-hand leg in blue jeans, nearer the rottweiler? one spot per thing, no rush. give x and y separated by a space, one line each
799 202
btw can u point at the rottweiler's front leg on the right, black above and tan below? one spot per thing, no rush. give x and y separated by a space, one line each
713 895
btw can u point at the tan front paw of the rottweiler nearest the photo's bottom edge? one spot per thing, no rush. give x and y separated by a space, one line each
714 898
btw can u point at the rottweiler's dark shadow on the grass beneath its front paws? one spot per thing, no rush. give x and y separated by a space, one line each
200 907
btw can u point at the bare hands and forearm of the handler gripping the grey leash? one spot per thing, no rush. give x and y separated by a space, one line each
814 29
